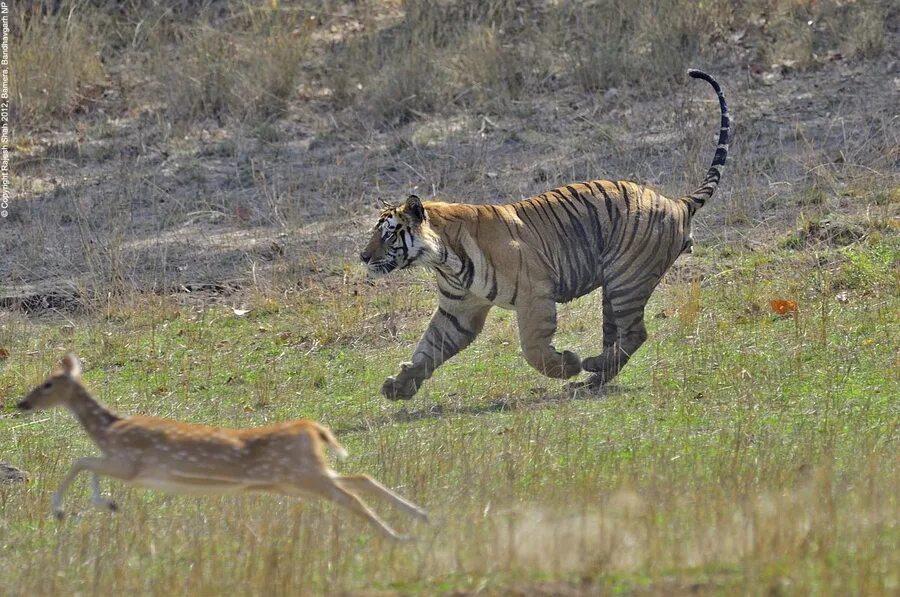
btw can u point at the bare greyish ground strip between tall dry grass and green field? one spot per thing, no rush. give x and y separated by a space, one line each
118 201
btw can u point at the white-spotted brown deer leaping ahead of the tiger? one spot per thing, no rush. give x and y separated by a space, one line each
286 458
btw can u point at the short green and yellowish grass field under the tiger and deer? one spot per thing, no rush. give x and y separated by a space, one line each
738 452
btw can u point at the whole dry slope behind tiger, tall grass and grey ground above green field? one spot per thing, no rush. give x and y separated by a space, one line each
160 145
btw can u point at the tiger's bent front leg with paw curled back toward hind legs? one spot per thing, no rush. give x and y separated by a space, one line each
537 324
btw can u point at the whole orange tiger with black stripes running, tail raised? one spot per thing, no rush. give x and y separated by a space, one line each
529 255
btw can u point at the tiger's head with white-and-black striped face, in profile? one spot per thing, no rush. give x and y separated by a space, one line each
401 238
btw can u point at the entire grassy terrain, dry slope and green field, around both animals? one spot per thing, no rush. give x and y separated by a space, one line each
173 160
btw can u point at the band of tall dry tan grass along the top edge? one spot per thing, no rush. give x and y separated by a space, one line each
247 60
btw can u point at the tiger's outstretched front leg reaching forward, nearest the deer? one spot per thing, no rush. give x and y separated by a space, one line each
453 327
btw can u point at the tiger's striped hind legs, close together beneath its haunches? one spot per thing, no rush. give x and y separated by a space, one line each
624 332
